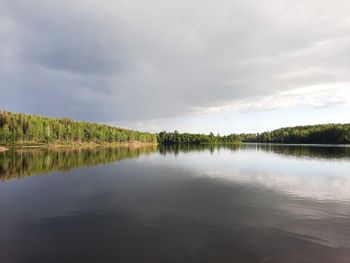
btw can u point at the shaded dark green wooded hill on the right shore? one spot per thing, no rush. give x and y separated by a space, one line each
323 134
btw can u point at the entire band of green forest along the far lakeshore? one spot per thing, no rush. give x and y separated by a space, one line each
17 129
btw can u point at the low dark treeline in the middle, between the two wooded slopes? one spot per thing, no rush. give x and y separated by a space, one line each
183 138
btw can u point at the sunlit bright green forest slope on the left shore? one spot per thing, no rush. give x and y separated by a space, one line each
19 128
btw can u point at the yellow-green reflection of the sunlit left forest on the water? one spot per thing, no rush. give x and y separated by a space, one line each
22 163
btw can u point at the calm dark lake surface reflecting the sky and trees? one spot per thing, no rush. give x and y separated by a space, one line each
248 203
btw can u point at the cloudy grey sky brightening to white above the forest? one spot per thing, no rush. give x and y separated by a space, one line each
224 66
